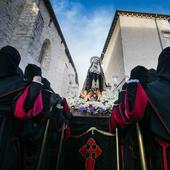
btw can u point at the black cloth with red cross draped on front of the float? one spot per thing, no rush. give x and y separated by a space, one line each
89 150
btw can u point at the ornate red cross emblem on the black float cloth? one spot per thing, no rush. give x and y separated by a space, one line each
90 151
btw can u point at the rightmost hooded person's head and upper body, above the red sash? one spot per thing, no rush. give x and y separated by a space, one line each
159 92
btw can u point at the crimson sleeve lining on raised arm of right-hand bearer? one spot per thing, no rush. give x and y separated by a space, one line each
141 100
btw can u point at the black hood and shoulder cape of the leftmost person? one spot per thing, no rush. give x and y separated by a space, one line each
9 62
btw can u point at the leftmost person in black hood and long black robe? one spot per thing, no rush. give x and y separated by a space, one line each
10 85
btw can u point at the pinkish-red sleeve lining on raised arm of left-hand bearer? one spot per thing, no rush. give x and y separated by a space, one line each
37 108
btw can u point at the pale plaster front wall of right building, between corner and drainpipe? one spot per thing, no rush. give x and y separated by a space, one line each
140 41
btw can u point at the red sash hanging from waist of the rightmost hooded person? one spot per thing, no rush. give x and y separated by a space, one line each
164 146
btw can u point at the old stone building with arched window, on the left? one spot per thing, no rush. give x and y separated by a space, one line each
32 27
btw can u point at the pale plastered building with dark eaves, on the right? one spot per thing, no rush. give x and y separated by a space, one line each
134 39
